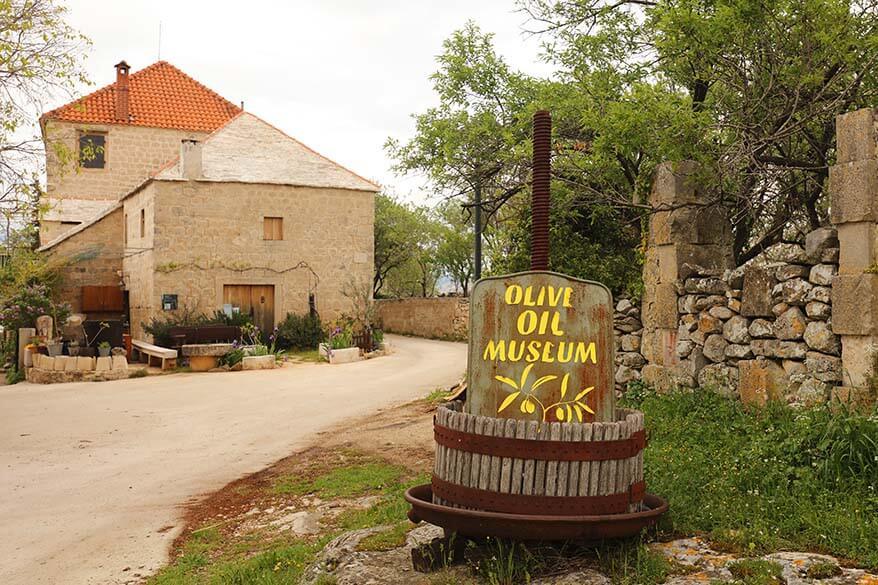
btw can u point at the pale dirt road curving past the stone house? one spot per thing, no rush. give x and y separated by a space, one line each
94 474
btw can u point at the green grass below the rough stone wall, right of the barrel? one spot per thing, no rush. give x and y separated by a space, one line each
766 479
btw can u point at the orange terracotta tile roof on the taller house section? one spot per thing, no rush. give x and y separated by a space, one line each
160 96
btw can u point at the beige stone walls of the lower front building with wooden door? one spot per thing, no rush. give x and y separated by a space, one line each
202 235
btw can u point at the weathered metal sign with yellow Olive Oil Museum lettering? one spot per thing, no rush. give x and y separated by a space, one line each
541 348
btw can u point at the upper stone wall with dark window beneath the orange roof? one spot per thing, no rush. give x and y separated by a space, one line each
132 153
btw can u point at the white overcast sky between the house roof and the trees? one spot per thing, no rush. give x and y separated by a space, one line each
339 75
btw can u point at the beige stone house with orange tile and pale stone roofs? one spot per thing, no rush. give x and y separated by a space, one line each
179 200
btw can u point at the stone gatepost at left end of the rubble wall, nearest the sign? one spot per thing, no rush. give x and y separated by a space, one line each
684 229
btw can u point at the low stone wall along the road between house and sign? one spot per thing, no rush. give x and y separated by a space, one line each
434 318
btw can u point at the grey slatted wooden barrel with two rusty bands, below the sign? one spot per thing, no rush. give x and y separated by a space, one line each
524 467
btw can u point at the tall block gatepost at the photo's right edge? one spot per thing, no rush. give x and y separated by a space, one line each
853 186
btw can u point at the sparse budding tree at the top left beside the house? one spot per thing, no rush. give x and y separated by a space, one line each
40 56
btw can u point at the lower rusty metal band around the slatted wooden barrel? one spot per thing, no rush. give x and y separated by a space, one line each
489 501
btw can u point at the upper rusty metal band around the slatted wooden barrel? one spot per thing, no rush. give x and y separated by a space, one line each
540 450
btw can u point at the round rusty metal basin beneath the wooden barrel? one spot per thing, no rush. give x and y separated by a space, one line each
476 523
